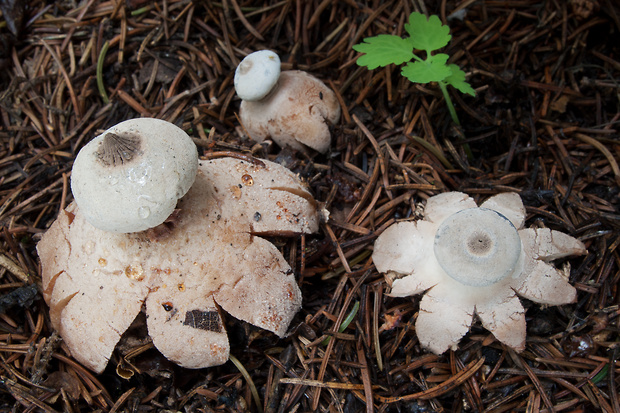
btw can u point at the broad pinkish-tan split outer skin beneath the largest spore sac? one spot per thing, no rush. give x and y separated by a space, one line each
210 256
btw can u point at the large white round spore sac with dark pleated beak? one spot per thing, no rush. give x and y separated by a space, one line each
129 178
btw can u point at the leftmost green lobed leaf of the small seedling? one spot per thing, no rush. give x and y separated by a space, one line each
383 50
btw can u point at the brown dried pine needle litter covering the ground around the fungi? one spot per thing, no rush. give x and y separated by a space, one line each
544 124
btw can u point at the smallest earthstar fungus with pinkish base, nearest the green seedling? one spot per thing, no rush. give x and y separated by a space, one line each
292 107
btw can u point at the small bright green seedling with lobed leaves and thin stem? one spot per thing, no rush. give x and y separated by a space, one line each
425 34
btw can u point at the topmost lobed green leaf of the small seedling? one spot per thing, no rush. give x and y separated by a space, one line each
427 34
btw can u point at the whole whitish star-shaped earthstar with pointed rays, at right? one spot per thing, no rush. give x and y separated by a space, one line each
480 270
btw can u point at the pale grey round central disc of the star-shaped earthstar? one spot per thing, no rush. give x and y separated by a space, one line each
477 246
